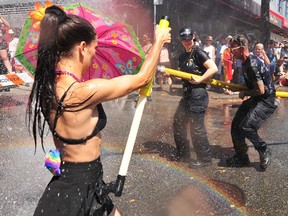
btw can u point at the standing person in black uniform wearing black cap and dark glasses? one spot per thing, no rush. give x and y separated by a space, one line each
193 104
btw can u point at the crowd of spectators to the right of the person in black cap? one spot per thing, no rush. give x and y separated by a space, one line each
275 56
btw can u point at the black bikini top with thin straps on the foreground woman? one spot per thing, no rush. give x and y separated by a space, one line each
99 126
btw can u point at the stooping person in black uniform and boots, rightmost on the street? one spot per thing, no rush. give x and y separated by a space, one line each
254 111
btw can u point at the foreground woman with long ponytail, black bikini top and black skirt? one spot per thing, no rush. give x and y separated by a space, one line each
72 110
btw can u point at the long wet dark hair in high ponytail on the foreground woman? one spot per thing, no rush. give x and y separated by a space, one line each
59 33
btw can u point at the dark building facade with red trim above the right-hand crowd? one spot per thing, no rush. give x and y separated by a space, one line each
228 16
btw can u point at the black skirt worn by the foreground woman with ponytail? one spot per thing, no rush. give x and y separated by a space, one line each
76 192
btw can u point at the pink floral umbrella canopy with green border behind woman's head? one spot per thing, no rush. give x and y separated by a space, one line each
118 52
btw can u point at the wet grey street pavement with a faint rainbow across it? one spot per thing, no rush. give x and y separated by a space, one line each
155 185
